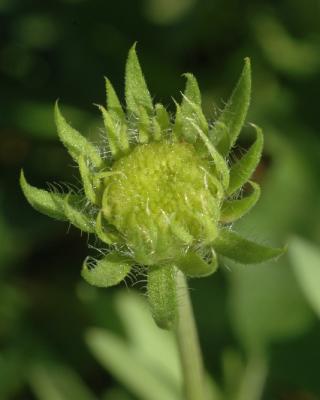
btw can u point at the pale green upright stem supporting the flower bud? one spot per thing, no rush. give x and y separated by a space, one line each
188 344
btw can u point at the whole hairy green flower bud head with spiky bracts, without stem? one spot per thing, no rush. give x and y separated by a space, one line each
164 197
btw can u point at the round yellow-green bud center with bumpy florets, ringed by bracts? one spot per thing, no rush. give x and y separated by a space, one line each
162 197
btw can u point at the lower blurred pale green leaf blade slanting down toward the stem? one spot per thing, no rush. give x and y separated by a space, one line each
128 366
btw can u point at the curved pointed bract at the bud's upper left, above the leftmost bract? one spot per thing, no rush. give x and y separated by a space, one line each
75 143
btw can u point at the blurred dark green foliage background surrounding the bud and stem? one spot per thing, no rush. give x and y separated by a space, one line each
259 325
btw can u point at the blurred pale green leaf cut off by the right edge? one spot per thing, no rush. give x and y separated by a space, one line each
305 258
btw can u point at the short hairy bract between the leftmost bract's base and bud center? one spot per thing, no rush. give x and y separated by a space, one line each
77 215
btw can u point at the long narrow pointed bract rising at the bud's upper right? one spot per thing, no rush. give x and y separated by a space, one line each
234 113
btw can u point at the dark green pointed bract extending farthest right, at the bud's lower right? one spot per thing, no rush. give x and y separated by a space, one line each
234 246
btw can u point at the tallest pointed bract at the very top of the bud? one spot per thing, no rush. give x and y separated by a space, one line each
136 91
